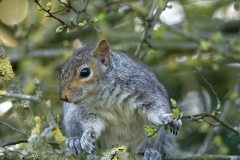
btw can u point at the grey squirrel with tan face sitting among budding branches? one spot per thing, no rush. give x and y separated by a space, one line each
109 99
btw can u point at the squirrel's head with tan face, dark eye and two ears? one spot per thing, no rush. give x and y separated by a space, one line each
81 74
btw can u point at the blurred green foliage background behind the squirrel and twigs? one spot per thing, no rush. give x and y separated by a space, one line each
192 40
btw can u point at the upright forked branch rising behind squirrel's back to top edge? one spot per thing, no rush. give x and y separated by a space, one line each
149 25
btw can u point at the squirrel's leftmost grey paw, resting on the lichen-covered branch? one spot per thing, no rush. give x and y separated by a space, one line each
74 145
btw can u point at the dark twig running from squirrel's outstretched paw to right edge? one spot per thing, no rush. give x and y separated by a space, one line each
203 115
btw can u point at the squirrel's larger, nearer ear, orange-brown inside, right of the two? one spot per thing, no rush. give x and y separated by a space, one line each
102 51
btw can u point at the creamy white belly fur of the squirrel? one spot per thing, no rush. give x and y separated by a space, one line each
121 129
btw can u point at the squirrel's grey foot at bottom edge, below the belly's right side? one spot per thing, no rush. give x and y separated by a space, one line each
150 154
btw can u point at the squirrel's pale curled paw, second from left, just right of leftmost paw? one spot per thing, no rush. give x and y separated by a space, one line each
88 141
